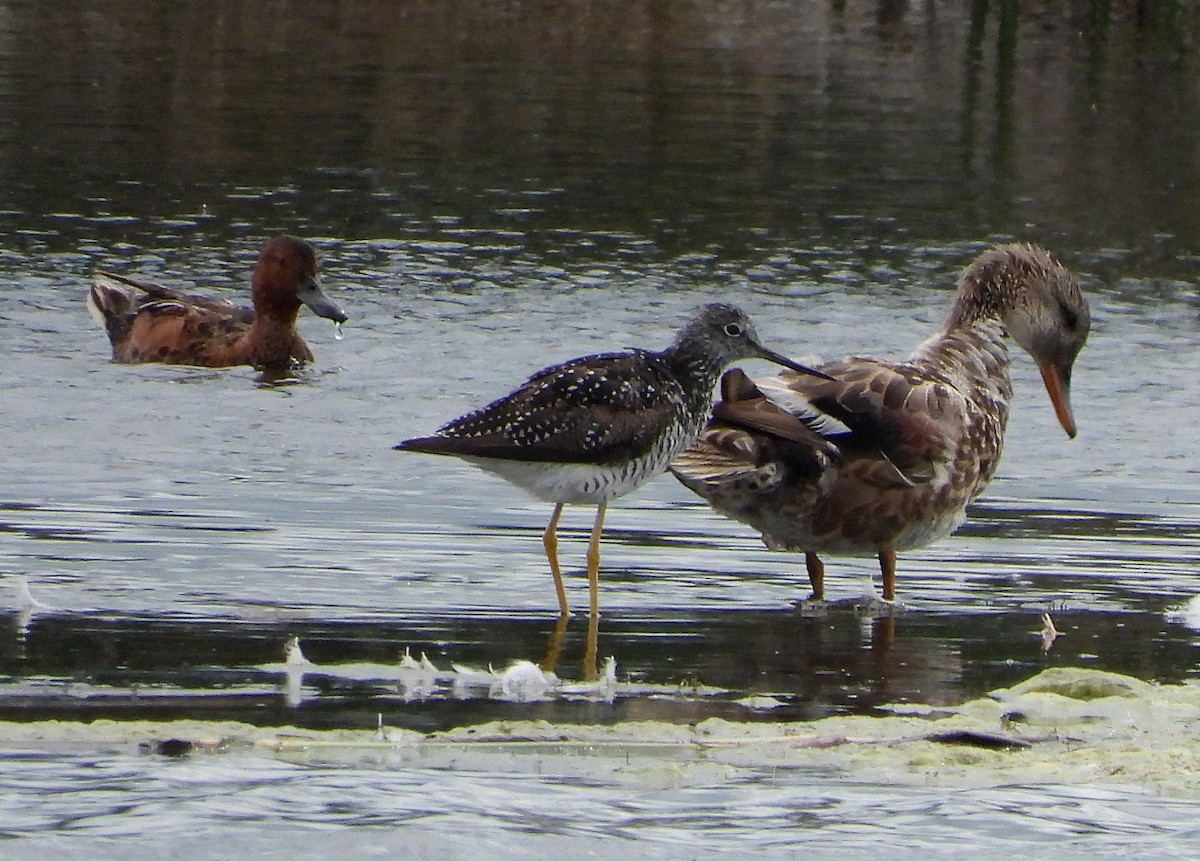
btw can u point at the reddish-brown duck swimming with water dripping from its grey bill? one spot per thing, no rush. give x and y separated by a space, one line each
165 326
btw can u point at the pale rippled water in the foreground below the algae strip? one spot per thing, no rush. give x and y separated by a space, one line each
439 814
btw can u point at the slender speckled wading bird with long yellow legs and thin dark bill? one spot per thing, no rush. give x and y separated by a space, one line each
595 429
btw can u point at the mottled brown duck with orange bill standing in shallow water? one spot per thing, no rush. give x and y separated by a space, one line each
887 455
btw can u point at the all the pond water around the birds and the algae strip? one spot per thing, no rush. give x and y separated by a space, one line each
493 190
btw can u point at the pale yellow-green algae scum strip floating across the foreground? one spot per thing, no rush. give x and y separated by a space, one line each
1064 726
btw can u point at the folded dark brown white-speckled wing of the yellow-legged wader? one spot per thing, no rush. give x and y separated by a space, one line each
596 410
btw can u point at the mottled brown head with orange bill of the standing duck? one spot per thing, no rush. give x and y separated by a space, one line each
1041 306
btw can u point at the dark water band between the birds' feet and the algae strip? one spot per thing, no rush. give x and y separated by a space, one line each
836 663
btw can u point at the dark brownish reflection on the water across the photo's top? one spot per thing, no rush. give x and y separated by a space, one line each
689 125
